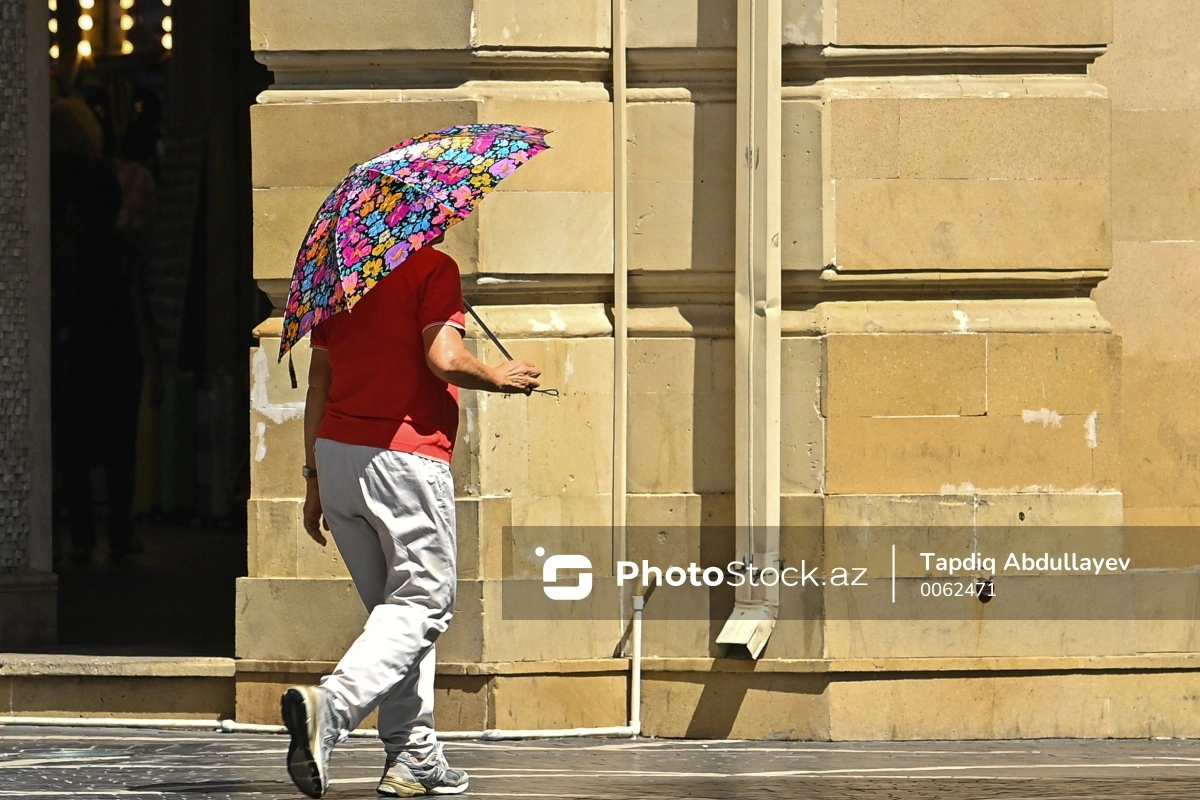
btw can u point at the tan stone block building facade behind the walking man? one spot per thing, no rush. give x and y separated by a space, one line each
981 303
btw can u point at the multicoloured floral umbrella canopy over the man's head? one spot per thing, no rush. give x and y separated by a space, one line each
393 206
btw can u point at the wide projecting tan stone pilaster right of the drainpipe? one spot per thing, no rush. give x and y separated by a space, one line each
970 387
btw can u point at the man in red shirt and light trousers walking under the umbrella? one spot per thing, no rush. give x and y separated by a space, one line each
381 420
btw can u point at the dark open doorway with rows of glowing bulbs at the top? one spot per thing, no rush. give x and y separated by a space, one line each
170 85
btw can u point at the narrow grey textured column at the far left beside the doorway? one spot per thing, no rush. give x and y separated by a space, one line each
28 586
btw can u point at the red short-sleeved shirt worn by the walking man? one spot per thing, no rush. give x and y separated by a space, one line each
383 394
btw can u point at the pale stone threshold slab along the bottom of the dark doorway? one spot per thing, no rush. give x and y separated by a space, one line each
14 665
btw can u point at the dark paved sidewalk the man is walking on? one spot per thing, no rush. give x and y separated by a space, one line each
65 763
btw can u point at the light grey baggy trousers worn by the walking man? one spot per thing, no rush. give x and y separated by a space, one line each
392 515
